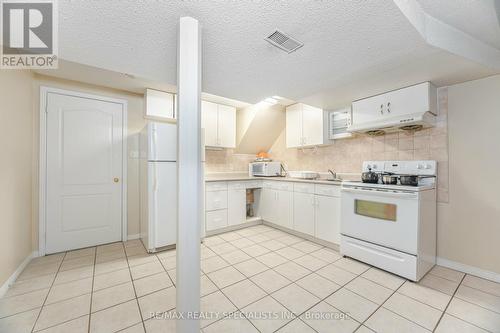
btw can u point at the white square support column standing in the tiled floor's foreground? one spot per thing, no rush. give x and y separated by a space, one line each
190 173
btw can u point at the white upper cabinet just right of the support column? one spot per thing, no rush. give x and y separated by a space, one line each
219 122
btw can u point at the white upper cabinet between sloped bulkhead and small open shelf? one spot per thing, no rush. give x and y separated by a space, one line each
305 126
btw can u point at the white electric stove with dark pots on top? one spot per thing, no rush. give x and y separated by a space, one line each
392 227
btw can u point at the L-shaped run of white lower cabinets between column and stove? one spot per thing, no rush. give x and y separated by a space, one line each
312 209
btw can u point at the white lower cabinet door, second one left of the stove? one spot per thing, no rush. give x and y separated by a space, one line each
303 212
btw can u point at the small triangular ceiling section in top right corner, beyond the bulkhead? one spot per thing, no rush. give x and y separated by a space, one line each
478 18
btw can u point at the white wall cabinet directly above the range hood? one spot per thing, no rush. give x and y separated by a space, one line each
405 101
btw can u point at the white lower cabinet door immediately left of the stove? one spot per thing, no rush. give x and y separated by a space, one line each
327 218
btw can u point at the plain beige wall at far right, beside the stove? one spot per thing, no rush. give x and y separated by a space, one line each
469 225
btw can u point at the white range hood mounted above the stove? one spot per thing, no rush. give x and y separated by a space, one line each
406 122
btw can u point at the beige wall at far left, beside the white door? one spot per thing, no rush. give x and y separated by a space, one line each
16 122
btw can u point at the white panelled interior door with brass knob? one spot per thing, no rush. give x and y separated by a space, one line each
84 172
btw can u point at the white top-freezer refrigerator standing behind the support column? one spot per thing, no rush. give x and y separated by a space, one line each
158 185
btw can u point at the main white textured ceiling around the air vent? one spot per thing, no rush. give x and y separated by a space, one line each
347 44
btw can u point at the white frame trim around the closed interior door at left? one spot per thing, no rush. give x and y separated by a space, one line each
42 166
